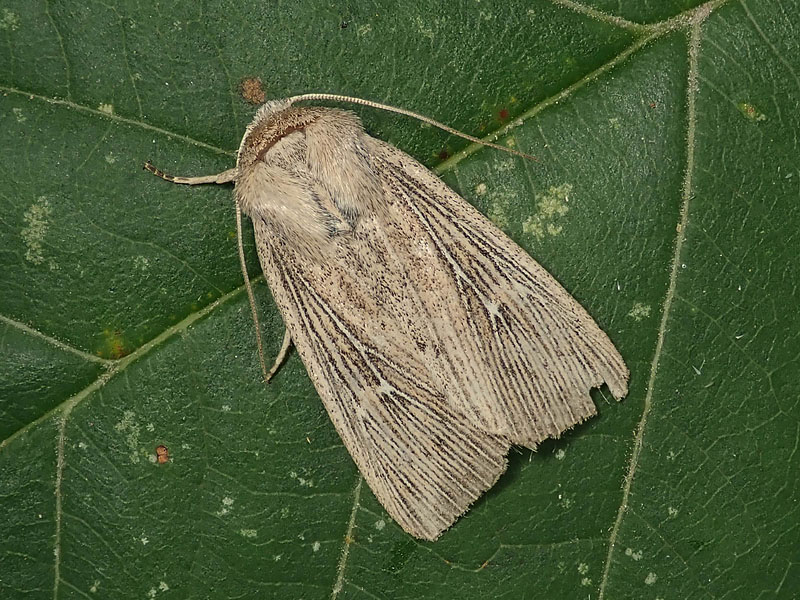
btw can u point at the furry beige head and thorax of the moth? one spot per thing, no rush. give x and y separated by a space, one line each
306 170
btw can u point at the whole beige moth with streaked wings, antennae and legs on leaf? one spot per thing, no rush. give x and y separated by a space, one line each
434 341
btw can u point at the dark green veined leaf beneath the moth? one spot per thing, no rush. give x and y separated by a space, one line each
665 199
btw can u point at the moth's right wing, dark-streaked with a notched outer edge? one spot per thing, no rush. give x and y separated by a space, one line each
538 346
